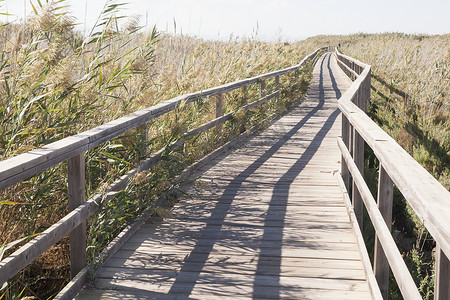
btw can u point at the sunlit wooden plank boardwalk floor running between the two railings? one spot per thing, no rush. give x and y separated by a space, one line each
266 221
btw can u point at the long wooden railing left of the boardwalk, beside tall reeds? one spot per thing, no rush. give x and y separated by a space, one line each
72 149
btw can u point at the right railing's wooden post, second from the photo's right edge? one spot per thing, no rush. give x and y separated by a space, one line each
385 200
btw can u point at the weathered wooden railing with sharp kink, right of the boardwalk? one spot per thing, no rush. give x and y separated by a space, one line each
428 198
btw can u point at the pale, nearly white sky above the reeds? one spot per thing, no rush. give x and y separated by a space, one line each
285 19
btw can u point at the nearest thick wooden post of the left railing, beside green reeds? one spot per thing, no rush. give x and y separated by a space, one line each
77 196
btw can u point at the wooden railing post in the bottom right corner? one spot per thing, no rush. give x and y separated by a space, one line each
442 276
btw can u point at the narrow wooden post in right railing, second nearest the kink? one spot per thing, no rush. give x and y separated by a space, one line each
358 157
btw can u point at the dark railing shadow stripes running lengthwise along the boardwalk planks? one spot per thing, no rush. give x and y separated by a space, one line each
270 239
